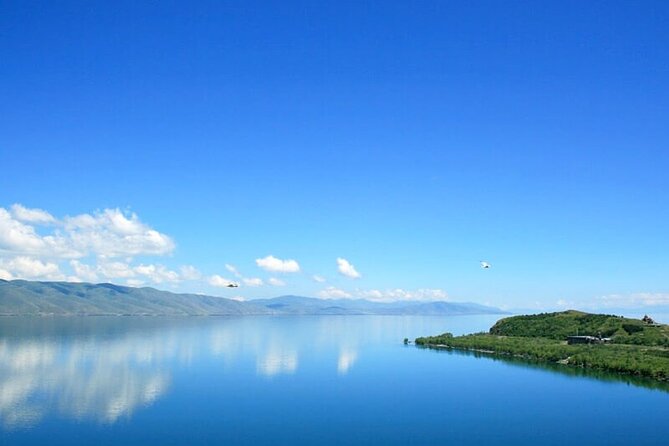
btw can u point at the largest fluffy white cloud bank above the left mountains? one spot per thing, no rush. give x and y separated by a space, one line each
111 236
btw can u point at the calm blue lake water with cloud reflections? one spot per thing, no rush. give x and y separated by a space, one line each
299 380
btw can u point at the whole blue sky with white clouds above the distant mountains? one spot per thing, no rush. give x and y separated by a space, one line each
412 139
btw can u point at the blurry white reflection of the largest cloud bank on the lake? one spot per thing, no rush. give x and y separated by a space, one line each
83 380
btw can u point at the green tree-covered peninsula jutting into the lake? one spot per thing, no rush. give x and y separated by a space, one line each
637 348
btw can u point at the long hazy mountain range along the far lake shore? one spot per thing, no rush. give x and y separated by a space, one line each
27 298
